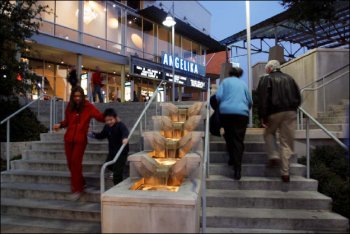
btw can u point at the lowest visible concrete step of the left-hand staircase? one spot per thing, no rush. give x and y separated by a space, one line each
28 224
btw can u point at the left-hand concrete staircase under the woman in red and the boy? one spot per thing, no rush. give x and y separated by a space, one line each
35 193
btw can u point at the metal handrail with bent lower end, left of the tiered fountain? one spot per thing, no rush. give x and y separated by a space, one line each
138 121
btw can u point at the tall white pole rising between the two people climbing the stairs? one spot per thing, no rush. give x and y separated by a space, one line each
247 8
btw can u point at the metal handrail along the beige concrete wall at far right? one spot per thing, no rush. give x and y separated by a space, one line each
300 120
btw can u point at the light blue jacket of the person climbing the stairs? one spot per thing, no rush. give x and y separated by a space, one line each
234 97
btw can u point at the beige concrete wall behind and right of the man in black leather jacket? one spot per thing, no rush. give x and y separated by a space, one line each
312 66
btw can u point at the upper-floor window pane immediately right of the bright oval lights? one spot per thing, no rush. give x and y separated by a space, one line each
148 39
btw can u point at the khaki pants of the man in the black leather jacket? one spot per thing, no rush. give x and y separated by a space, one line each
285 122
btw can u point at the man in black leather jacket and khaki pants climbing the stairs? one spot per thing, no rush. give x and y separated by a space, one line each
279 98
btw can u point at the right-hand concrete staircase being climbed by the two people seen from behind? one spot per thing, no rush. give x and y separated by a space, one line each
260 202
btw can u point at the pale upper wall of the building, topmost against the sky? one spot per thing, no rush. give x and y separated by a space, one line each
197 16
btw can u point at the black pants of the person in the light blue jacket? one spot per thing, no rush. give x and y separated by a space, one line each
235 127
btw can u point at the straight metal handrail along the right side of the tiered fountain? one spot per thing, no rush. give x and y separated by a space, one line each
205 169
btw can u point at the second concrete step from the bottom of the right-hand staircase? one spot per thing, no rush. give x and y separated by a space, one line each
307 200
